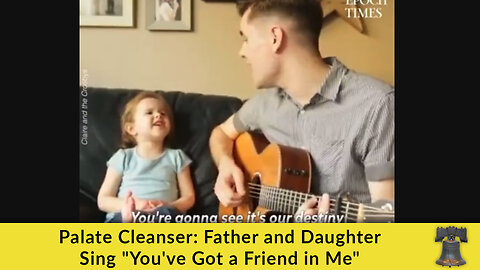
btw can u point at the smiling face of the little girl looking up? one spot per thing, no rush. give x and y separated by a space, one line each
150 121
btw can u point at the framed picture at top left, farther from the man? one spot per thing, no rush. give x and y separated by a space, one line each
106 13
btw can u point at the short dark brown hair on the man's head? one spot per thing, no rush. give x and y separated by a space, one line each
307 14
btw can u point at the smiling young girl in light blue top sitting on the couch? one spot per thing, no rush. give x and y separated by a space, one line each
145 174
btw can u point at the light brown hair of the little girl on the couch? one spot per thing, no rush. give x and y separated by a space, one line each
128 140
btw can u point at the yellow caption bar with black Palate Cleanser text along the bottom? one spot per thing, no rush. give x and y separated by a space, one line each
238 246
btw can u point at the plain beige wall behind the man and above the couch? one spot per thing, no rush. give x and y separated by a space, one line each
206 59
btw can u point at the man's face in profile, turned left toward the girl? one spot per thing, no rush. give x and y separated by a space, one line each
257 50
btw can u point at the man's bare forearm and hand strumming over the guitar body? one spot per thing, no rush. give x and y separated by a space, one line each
230 186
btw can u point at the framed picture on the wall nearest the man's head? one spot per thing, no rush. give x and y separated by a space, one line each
174 15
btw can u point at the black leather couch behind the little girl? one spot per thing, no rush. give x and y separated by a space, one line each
195 115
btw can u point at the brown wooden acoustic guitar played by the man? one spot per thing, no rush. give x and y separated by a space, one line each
278 180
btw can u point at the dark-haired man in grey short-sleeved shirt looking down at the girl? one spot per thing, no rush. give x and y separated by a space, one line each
344 119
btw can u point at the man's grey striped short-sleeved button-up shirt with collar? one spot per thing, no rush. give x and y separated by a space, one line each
348 129
